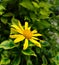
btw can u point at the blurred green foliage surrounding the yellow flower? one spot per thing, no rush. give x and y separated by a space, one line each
42 15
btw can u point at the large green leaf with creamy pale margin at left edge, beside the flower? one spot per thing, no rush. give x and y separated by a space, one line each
8 44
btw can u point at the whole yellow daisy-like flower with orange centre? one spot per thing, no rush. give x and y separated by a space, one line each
26 34
